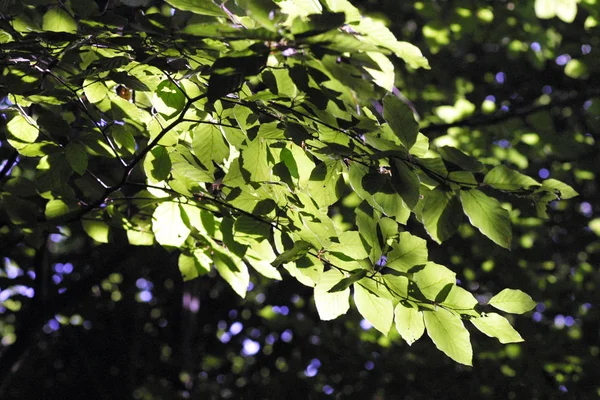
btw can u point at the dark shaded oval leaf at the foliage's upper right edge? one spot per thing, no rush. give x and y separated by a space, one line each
401 119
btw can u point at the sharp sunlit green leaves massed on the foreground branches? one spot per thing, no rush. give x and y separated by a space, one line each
257 137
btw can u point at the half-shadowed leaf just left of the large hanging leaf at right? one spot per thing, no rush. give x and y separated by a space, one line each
441 214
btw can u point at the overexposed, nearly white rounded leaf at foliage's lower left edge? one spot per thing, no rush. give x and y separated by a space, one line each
168 225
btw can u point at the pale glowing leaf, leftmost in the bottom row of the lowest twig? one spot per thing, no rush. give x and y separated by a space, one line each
331 305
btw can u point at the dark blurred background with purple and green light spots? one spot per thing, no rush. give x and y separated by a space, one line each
505 86
